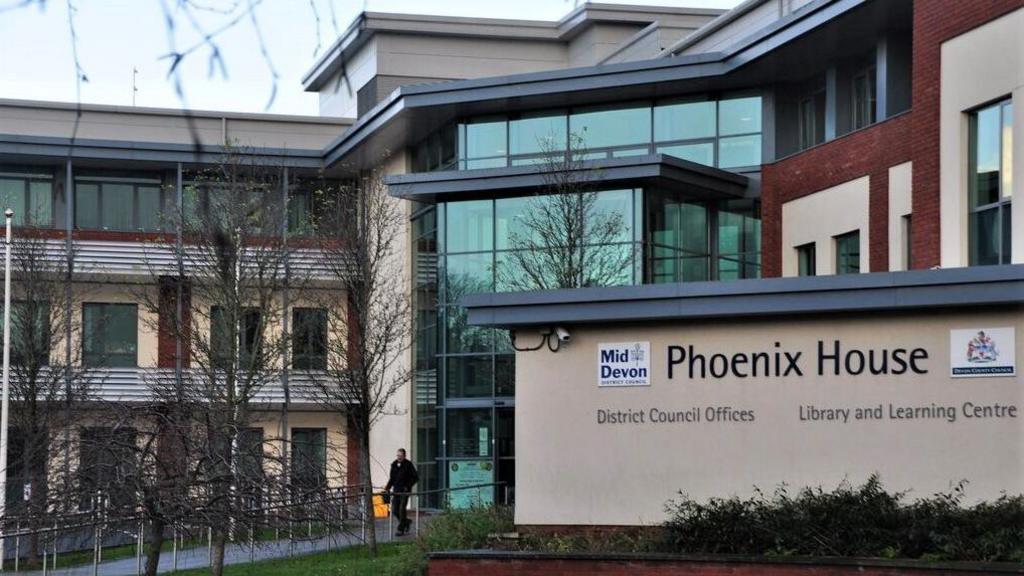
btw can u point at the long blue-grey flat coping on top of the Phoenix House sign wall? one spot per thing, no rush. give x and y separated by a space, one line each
900 292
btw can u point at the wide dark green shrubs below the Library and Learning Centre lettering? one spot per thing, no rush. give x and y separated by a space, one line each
850 521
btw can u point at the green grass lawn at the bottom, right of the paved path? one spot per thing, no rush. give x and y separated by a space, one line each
346 562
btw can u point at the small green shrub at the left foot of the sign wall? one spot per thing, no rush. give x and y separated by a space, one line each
454 530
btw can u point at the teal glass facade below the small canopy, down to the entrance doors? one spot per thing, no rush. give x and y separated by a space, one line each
465 376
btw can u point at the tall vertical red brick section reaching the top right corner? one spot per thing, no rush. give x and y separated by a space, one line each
934 23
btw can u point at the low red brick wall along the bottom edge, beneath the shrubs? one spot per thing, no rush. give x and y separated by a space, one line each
545 566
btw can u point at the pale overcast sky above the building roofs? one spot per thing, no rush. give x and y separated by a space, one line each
116 36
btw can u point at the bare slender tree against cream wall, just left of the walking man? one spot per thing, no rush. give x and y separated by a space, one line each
368 339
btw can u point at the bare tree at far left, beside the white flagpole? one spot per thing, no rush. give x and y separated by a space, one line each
46 386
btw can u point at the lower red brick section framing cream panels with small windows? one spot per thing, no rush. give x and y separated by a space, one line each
869 152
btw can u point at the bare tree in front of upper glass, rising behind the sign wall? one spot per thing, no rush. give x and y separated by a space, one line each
563 237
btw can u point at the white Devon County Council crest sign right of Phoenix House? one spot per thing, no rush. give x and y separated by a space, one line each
984 352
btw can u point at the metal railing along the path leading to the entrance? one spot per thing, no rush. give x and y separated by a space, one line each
330 516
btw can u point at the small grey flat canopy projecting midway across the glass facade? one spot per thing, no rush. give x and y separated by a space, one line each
698 182
